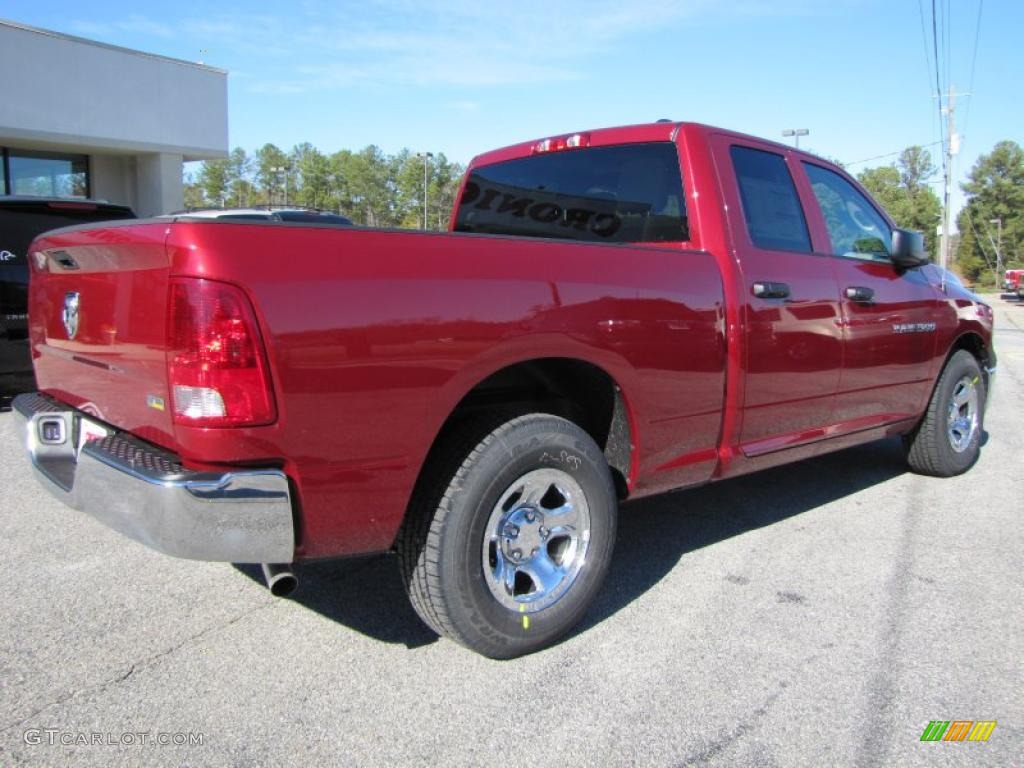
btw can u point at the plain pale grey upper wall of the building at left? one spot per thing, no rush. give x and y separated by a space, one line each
64 91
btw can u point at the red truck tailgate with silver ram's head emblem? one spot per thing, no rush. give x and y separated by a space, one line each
98 324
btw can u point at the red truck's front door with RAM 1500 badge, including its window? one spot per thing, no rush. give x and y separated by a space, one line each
889 316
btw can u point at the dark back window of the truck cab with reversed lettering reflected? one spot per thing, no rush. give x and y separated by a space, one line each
627 194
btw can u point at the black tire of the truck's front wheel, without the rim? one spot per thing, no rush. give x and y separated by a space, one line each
930 449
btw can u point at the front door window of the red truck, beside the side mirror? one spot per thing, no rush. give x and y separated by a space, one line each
856 228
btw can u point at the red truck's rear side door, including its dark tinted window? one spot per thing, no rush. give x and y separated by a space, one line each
792 320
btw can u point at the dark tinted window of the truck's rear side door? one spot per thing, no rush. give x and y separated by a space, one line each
775 218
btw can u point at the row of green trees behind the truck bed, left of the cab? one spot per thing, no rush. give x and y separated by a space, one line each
371 188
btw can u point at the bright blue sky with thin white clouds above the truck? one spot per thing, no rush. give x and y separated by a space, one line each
464 77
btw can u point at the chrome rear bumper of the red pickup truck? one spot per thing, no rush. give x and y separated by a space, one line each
146 494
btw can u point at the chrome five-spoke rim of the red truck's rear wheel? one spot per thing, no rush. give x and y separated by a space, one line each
536 541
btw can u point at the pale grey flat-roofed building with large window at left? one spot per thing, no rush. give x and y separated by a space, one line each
84 119
